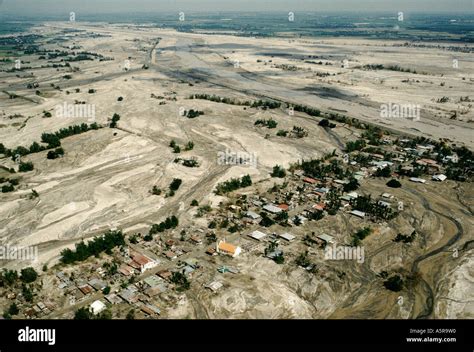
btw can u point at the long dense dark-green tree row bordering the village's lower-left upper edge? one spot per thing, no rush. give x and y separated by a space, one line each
104 243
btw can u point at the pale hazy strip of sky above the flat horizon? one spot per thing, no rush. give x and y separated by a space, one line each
28 7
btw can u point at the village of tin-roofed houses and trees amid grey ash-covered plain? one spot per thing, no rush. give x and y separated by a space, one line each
139 276
